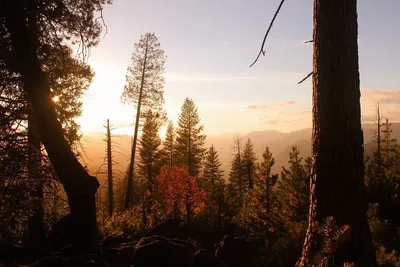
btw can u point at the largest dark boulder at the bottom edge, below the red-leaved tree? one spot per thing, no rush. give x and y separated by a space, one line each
156 251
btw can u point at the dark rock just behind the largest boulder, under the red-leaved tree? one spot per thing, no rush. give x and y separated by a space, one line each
170 228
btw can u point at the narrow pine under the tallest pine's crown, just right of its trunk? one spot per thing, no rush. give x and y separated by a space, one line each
149 166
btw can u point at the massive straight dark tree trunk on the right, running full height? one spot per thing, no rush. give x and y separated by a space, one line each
337 185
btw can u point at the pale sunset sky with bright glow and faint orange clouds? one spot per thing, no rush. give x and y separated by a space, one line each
210 45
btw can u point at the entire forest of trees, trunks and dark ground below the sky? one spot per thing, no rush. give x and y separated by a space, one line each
174 205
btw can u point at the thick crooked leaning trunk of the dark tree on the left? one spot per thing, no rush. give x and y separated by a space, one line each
78 184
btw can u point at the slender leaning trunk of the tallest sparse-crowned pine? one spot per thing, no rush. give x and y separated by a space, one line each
129 189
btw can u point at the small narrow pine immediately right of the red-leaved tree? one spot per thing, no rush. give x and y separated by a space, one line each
214 183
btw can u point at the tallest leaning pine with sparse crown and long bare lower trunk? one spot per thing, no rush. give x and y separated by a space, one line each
145 89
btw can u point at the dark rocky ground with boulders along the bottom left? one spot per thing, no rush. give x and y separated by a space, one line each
166 245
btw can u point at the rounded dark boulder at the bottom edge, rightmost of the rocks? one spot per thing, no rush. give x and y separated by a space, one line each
236 252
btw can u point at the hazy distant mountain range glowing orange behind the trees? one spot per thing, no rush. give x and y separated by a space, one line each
279 144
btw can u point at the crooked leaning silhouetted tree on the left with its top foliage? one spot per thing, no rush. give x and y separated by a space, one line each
59 21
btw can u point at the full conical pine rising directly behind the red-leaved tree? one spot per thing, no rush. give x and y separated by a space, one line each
190 140
